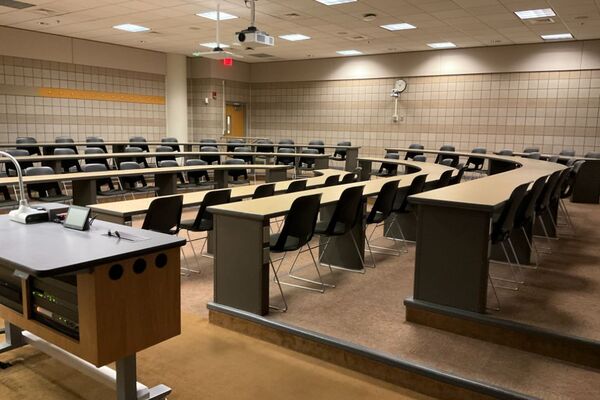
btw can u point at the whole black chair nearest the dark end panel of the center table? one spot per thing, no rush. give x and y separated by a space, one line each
298 229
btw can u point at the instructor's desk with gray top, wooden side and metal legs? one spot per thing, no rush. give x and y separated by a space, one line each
100 304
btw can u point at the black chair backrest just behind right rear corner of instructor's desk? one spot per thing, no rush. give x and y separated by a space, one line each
164 214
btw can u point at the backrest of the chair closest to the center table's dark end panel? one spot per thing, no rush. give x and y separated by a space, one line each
300 222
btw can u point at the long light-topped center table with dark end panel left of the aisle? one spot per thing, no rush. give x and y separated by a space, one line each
242 276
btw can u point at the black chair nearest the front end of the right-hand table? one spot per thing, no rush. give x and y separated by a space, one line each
502 228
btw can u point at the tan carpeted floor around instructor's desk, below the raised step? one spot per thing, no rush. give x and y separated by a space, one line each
204 362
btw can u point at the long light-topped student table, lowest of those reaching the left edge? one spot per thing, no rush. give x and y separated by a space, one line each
84 183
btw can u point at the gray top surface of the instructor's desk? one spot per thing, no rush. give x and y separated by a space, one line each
49 249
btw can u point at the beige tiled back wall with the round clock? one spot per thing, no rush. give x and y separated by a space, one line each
553 110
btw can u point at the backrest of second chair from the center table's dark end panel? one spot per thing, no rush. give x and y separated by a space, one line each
347 213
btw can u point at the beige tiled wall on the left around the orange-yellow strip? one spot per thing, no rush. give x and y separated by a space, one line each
46 118
